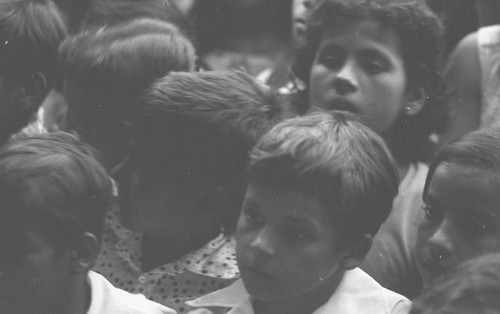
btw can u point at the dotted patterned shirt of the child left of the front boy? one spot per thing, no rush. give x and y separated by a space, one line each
202 271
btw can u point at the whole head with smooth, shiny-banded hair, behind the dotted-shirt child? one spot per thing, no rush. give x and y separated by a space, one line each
105 70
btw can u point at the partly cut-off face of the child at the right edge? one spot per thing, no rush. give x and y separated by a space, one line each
462 221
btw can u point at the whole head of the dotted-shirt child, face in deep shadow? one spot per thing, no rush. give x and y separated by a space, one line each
191 136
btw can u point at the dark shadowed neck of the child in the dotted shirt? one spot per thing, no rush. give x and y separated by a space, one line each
160 250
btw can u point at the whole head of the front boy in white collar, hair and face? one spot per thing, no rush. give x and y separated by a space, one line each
319 188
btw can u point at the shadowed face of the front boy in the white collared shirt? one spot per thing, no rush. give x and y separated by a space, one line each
286 244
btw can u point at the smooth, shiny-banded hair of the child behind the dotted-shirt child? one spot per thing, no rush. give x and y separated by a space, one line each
113 64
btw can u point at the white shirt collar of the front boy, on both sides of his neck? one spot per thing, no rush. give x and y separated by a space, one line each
357 293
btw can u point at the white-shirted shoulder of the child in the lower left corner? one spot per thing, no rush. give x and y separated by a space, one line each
105 298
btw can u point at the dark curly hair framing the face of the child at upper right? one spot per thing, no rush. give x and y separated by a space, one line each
421 37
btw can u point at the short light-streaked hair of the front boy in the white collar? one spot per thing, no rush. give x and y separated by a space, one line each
341 162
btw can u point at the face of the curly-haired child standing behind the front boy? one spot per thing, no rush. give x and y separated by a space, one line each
359 70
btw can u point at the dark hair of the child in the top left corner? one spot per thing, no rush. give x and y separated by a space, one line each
30 32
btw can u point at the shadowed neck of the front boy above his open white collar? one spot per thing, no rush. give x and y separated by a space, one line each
304 304
